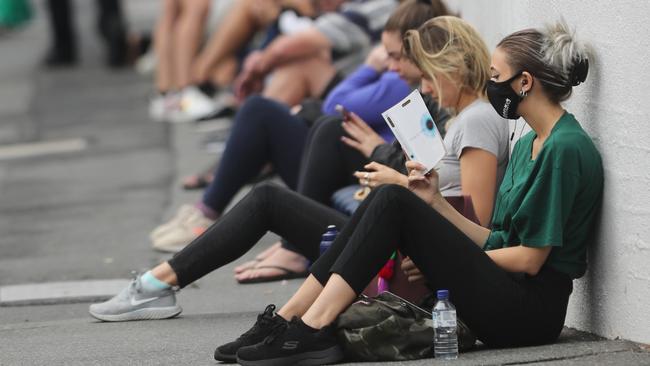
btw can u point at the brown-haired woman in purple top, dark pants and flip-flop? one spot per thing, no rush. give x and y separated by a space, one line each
328 162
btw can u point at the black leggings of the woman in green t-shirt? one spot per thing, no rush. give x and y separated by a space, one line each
503 309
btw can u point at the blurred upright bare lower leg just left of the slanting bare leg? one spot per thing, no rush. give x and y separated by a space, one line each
187 38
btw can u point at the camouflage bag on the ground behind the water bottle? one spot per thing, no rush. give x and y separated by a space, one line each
389 328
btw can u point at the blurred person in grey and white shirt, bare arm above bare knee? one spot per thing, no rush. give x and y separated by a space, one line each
301 63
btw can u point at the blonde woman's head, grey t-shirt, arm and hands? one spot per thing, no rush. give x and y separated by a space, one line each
476 140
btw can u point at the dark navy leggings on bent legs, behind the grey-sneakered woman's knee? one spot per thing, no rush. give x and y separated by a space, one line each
264 131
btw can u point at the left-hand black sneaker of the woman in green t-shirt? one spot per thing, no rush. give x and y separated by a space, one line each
265 323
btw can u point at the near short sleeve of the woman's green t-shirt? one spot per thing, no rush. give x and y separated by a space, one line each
547 205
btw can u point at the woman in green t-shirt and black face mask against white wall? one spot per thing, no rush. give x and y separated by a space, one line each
510 284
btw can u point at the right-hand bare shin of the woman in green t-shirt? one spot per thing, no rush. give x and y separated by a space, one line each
333 299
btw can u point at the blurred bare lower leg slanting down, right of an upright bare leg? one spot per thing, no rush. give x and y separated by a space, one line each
244 19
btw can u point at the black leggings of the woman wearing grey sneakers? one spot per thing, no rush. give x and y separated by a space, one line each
266 208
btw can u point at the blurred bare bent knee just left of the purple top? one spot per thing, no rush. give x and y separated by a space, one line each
292 83
